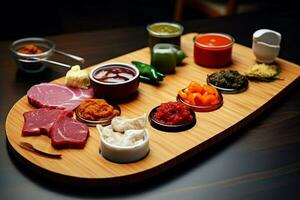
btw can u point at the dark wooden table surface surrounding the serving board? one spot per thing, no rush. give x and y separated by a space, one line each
260 161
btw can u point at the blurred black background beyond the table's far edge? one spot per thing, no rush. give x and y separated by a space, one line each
43 18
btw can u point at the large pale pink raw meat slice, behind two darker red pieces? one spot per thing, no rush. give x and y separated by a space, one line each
53 95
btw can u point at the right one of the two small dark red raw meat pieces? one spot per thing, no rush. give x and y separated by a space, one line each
67 132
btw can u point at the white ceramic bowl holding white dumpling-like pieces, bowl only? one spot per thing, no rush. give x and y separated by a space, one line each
125 154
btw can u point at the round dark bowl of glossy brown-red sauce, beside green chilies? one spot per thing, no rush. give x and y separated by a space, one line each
114 80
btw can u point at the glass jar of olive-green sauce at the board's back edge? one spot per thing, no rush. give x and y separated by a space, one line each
164 32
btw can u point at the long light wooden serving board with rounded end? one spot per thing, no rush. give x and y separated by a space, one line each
166 149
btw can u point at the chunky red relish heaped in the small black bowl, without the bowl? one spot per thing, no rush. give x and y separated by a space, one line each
173 113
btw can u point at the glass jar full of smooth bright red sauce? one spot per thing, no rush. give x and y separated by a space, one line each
213 49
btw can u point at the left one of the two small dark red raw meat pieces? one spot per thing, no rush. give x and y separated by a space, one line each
40 121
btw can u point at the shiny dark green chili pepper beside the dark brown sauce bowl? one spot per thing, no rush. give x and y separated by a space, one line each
148 71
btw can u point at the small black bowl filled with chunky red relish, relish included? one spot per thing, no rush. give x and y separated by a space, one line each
172 117
